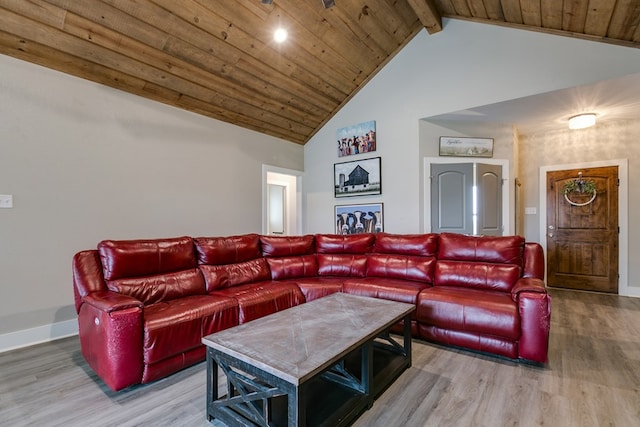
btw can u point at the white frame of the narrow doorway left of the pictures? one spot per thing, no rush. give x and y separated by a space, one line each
294 209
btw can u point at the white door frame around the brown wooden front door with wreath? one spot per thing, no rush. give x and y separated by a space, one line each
623 215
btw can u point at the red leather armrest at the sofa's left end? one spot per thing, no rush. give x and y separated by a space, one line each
111 330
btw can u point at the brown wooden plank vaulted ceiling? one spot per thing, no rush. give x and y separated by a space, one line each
218 57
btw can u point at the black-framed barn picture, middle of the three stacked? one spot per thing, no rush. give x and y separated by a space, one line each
357 178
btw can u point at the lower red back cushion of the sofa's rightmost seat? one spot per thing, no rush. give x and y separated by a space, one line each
477 275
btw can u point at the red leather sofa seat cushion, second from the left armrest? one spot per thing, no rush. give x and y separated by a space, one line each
260 299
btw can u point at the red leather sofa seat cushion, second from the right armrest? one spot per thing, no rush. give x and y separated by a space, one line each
390 289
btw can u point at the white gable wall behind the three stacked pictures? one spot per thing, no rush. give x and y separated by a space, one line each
466 65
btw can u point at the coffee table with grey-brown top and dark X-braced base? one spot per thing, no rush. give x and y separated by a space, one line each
319 363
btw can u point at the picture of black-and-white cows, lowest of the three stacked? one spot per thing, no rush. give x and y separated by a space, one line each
356 219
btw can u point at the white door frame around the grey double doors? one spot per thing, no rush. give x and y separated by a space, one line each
507 179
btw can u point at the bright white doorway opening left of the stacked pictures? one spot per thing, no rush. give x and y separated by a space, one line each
281 201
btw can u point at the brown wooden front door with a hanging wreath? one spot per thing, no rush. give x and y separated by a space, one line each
582 234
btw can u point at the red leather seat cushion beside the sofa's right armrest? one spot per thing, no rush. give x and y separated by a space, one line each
470 310
